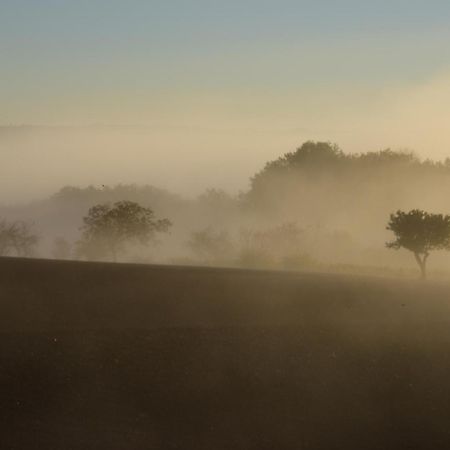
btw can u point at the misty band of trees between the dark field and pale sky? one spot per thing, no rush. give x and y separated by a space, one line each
316 208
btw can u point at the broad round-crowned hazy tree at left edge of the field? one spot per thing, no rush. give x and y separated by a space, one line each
108 229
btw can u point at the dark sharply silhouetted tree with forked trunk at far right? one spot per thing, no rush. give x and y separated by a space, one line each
420 233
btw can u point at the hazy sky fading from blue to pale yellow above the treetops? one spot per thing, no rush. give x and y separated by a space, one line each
202 92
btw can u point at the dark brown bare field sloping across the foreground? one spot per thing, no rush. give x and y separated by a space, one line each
104 356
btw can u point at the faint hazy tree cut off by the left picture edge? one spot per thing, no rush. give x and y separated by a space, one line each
17 238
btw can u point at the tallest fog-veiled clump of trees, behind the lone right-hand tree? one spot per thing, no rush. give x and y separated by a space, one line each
320 184
